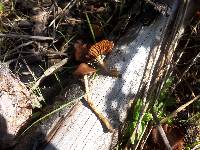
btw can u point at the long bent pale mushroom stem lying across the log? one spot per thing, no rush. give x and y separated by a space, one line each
94 109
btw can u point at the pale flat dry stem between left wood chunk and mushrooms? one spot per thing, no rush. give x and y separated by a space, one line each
49 71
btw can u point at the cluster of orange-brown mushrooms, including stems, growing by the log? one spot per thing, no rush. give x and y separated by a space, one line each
85 54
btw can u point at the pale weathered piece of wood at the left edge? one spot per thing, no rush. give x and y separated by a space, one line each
15 106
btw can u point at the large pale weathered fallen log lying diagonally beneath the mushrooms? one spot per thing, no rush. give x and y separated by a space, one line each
135 55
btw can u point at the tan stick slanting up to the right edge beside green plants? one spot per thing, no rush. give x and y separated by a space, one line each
182 107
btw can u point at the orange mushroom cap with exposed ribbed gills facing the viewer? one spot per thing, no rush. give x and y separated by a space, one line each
100 48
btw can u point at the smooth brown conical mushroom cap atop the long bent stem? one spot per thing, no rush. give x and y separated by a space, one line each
83 69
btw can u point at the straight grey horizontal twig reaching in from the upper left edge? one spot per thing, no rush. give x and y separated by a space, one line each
42 38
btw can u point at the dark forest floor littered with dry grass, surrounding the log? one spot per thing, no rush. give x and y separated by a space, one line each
36 35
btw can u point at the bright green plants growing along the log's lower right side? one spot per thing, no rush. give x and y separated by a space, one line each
140 118
